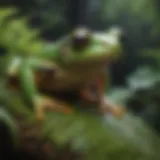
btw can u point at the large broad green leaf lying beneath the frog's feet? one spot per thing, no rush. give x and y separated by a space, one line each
98 139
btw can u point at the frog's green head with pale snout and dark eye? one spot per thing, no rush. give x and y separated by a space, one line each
86 47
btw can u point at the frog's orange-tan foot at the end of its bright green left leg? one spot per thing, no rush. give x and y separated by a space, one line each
51 105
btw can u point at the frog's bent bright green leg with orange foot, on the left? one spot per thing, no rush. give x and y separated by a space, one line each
30 91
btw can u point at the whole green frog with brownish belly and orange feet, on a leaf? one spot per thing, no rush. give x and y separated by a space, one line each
76 62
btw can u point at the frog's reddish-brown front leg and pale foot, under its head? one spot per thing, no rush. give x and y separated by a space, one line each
94 93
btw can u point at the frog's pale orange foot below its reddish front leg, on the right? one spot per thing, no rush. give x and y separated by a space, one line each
107 107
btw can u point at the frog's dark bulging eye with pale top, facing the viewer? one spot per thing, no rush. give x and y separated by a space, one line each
80 38
